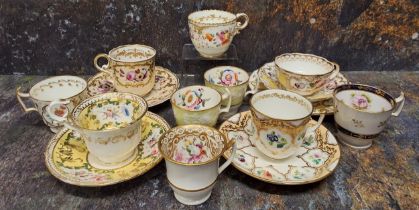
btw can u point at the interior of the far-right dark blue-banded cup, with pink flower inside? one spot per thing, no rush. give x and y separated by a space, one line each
364 98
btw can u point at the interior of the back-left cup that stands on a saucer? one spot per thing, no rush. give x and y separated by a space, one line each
132 53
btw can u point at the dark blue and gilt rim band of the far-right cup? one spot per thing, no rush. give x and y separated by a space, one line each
371 89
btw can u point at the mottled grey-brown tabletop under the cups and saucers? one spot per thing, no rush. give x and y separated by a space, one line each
382 177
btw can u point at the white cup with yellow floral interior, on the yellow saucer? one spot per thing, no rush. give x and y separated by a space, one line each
109 124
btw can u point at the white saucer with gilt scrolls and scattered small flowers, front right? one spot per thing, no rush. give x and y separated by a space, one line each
316 159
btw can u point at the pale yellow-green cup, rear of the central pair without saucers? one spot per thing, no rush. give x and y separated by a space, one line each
232 78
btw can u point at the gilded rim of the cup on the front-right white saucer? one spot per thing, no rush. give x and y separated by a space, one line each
252 107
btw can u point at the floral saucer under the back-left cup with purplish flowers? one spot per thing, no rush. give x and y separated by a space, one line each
166 84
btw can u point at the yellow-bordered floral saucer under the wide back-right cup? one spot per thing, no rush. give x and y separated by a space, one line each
268 76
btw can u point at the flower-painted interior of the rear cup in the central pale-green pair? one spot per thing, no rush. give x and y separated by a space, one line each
226 76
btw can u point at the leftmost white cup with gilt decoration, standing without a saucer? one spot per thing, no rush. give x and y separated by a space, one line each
70 88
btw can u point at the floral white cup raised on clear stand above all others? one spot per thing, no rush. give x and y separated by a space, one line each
212 31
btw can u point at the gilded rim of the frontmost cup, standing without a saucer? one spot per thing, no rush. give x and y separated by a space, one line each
214 158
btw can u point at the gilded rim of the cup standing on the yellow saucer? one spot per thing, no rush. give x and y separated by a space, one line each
103 96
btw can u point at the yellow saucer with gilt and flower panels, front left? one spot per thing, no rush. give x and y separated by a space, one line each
66 156
